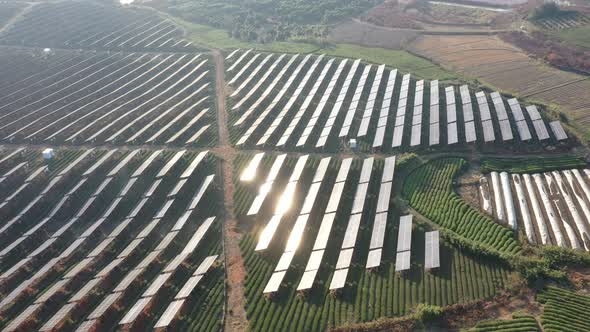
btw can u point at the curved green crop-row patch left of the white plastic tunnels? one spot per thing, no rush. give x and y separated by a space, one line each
429 190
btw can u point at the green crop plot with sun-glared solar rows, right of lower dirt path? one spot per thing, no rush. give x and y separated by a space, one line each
342 200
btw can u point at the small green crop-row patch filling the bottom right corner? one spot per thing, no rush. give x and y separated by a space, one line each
563 310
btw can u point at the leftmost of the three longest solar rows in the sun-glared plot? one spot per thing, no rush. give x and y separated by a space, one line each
298 229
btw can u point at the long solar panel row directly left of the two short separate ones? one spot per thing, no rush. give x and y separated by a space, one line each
380 222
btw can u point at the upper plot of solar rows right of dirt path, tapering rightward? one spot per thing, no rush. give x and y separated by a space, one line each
317 103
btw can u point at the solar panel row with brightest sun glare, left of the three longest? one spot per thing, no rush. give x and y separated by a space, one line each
283 205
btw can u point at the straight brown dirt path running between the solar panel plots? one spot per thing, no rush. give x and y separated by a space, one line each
235 313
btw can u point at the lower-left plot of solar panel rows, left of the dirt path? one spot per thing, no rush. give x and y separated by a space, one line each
128 219
